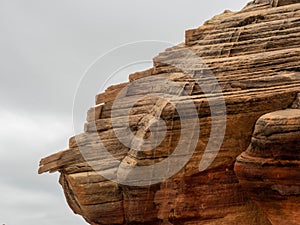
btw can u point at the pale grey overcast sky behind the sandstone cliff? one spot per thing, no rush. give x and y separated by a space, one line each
46 47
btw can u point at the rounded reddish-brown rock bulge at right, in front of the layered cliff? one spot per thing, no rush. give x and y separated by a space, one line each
269 170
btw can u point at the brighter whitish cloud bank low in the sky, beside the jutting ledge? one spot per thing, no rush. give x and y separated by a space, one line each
27 198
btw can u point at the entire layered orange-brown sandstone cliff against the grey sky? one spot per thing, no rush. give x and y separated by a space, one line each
252 177
